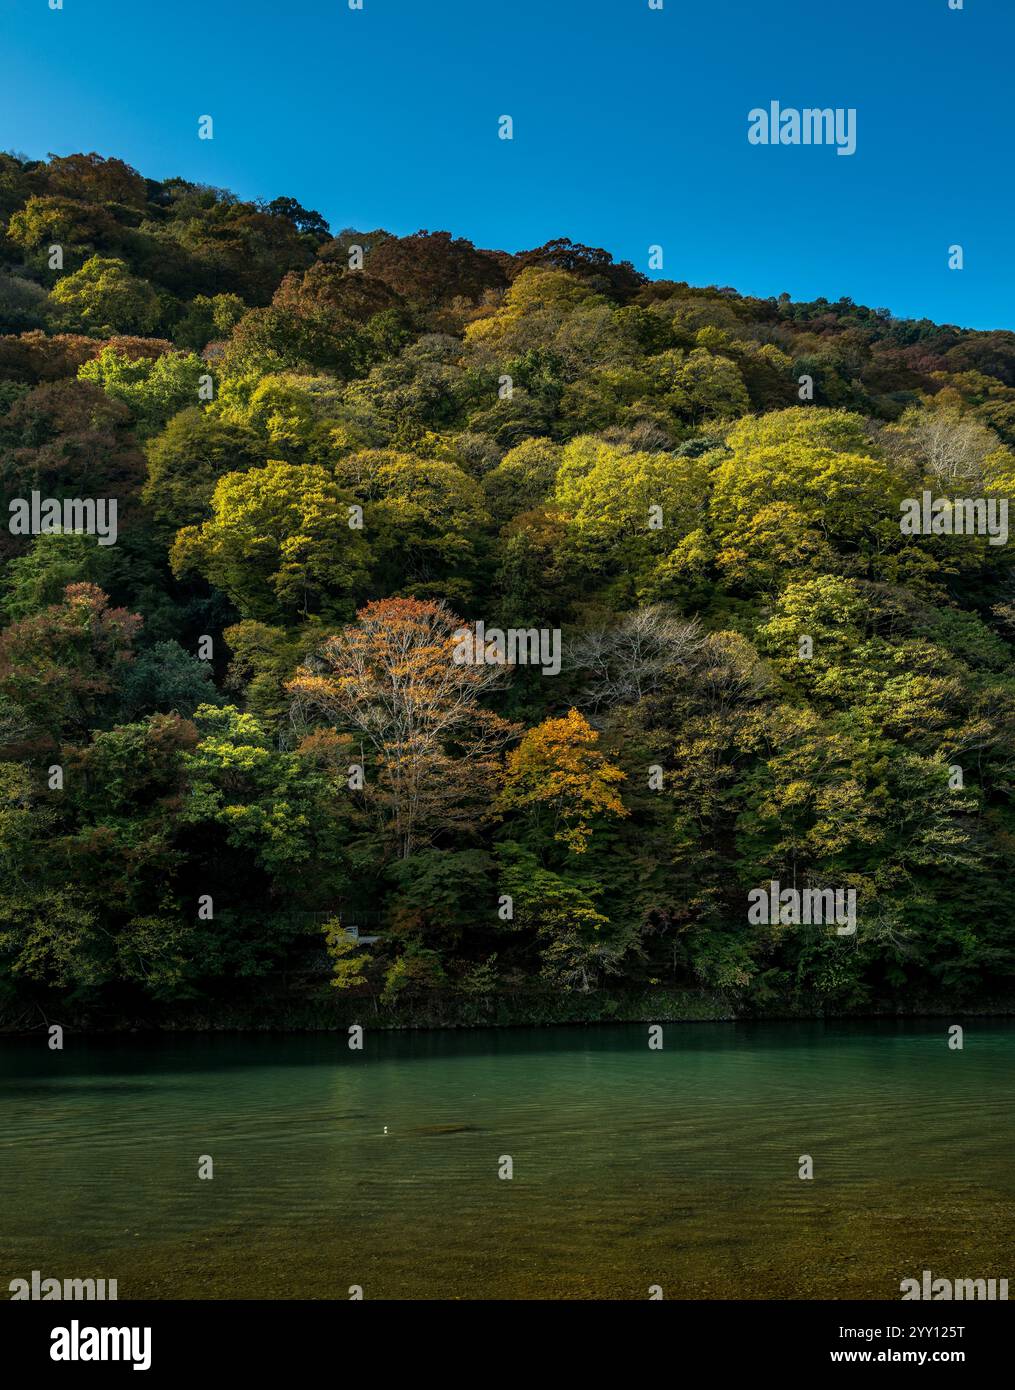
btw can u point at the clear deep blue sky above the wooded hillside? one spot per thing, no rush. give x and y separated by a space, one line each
631 127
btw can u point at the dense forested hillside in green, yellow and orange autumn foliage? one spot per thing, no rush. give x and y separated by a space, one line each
244 729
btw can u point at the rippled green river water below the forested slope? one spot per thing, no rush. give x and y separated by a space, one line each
632 1168
